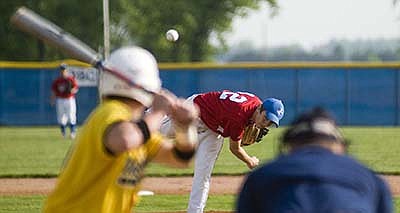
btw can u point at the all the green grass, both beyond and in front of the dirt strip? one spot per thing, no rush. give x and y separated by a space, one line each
39 152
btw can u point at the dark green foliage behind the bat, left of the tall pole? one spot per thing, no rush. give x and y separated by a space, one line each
81 18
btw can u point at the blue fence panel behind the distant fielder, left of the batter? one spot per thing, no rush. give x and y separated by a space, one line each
25 97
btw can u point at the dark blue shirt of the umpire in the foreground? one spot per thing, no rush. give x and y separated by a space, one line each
313 179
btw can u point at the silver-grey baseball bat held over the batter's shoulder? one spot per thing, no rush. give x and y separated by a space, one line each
41 28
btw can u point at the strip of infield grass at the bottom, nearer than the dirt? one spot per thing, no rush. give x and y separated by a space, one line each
157 203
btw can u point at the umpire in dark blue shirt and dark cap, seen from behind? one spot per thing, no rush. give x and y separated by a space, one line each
314 174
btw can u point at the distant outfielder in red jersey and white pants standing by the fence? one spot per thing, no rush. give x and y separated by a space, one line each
63 90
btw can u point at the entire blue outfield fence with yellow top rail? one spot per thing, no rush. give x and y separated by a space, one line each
356 93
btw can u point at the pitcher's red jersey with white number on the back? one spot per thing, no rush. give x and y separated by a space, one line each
226 112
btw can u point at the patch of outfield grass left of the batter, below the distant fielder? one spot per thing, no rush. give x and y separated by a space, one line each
31 151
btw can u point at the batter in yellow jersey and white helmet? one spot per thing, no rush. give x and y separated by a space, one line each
117 141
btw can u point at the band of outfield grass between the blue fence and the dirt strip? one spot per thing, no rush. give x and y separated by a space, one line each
39 152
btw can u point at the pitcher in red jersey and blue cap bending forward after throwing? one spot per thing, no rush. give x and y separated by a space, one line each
225 114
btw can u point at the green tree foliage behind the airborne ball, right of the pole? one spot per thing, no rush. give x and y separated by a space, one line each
194 20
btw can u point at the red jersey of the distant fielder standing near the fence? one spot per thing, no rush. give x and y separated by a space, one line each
62 87
